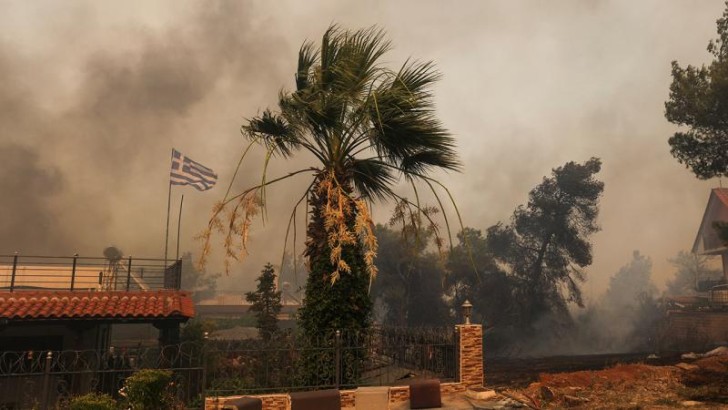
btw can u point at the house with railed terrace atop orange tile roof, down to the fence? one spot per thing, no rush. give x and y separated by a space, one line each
74 303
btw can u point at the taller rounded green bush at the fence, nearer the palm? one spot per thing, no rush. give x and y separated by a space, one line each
149 389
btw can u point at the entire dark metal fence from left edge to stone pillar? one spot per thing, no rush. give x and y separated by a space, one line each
283 362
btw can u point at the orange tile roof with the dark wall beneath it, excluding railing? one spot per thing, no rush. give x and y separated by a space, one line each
43 320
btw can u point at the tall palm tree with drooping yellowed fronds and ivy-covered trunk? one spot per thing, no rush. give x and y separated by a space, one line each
367 126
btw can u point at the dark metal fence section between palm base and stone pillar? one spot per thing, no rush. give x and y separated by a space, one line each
337 359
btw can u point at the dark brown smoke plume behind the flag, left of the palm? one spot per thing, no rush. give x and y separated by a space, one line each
91 168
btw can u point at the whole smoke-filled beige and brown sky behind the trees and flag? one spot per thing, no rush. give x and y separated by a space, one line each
93 96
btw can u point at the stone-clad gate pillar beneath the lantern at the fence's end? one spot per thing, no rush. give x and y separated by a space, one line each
470 349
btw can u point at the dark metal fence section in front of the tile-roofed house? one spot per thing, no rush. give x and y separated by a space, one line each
47 380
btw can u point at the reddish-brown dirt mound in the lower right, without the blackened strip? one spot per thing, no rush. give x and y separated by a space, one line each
700 384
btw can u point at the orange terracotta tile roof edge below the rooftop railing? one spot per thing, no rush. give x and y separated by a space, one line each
49 304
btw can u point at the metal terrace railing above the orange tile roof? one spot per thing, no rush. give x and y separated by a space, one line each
76 273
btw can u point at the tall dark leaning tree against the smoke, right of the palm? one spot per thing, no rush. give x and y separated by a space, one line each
546 245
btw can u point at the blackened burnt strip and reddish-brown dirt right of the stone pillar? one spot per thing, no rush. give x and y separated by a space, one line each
561 382
